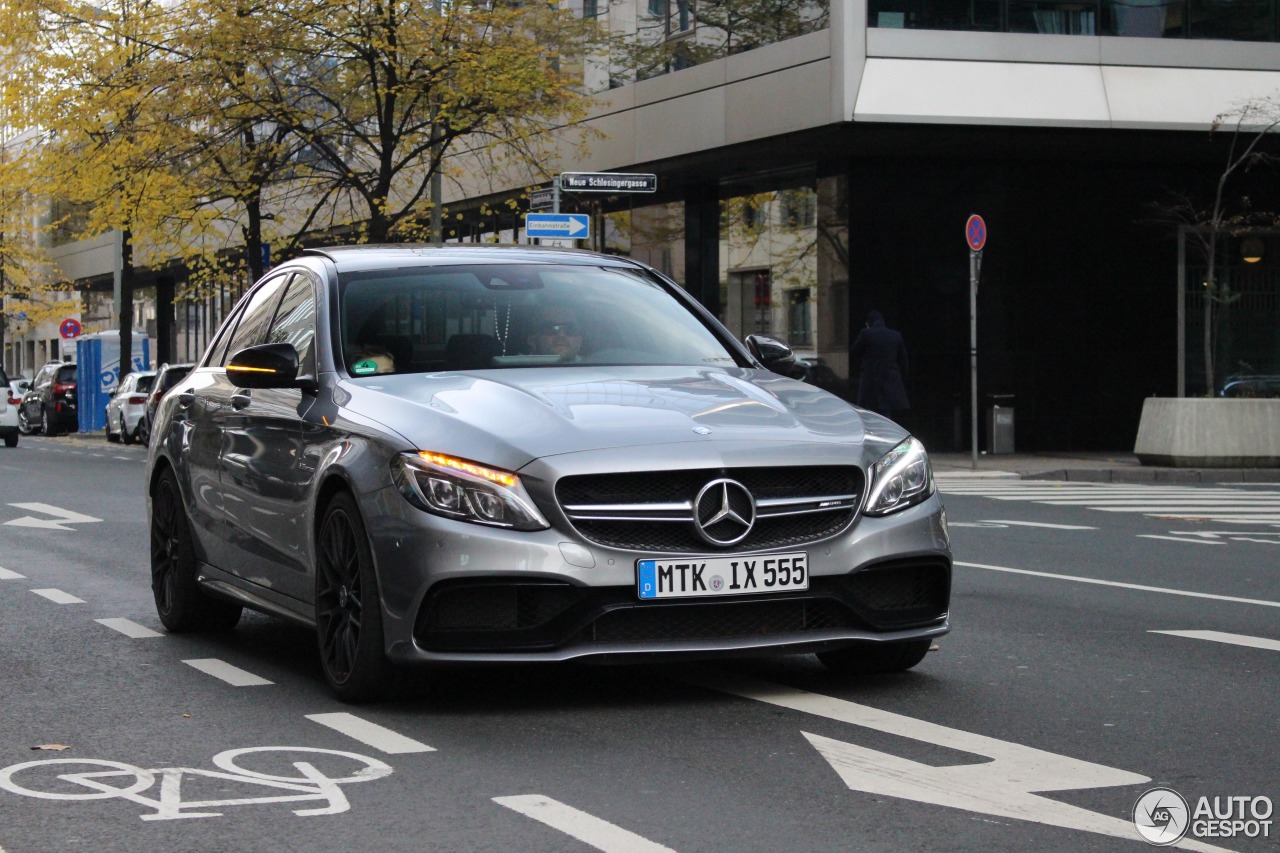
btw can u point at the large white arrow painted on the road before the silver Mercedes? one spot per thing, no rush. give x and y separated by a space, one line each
1003 787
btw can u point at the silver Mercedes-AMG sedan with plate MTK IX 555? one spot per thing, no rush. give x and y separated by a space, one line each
468 455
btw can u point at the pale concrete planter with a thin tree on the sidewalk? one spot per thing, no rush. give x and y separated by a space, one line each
1205 432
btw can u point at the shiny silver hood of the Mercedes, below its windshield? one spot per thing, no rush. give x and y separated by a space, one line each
513 417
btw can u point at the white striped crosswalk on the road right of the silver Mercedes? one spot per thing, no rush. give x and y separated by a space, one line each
1231 505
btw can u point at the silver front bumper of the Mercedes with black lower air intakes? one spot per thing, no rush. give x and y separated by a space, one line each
459 592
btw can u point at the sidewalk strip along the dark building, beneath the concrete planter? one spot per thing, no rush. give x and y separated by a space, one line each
1116 467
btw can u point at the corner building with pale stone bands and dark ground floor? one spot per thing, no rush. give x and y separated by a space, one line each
817 161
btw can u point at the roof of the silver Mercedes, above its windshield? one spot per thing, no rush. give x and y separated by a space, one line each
395 256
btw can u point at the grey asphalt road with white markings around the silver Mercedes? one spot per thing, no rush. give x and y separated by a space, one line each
1104 644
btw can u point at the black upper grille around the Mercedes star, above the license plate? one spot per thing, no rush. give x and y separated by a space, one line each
774 530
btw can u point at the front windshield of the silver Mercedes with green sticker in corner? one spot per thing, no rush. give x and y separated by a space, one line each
509 316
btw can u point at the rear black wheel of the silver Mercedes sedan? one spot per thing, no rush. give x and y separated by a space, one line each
181 604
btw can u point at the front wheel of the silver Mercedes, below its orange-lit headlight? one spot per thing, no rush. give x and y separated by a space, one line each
349 610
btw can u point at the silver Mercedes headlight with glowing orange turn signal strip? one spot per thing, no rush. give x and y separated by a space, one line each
467 491
